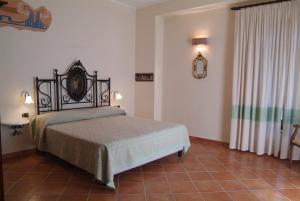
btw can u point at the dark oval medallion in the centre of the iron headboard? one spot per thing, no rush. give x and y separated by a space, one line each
77 84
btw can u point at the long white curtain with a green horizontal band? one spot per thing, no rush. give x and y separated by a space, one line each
266 78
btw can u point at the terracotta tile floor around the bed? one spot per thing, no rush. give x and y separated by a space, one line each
208 172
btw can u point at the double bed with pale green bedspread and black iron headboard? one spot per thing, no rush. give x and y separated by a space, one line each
95 136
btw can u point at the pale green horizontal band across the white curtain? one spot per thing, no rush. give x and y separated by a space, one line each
269 114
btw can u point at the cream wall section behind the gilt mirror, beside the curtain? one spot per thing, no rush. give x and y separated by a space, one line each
203 105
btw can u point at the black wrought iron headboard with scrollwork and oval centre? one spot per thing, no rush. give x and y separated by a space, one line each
72 90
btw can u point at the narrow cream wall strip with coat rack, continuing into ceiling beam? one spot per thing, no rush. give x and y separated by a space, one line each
146 32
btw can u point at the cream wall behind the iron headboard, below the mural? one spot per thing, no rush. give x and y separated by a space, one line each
99 33
